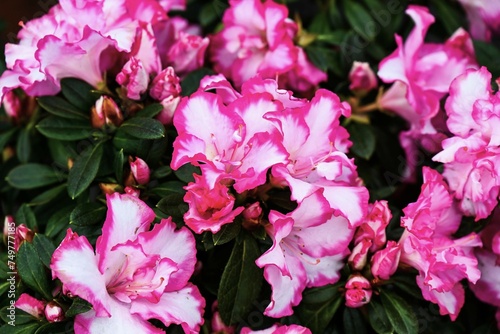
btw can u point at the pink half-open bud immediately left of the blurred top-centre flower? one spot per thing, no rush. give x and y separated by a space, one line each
187 53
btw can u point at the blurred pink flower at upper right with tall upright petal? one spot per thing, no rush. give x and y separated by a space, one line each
422 73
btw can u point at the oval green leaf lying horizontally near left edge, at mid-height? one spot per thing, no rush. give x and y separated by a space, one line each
30 176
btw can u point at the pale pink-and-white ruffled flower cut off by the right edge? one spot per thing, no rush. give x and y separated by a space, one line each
471 157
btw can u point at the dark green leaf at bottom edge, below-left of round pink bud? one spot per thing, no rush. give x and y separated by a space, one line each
318 307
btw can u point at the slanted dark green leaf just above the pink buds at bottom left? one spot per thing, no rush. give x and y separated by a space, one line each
32 271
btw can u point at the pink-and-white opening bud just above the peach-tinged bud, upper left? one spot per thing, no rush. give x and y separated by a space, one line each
134 78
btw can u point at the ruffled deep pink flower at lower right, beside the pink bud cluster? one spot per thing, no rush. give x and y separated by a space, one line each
428 246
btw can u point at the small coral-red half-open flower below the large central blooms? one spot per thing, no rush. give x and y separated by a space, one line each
209 208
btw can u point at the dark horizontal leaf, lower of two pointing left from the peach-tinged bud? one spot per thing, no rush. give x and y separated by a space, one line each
65 129
